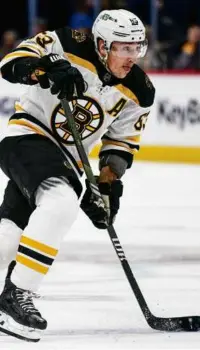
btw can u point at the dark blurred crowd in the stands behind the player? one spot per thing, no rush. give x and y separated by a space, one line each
173 26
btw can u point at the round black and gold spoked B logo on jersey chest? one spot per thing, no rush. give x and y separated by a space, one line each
88 116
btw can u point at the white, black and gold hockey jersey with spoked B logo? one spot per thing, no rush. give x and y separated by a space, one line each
113 111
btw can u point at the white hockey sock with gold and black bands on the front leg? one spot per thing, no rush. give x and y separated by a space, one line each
57 209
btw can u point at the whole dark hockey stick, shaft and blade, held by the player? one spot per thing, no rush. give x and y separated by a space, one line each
185 323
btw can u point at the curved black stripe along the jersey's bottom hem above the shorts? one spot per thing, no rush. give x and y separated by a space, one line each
44 127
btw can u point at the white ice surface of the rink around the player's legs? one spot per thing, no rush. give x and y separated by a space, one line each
86 297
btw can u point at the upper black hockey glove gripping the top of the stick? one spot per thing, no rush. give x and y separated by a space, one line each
57 73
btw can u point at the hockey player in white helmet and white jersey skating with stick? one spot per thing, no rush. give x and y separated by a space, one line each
110 97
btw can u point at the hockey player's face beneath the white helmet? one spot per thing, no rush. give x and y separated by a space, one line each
122 57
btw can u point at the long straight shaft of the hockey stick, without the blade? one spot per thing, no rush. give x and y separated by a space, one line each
113 236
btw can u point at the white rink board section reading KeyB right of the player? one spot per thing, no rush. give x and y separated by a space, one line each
175 116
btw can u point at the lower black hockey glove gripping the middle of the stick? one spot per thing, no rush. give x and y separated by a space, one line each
111 193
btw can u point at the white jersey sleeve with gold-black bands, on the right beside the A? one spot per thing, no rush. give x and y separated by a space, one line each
124 134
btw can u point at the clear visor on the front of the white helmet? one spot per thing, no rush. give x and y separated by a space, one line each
129 50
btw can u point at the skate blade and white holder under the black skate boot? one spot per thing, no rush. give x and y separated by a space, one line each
9 326
